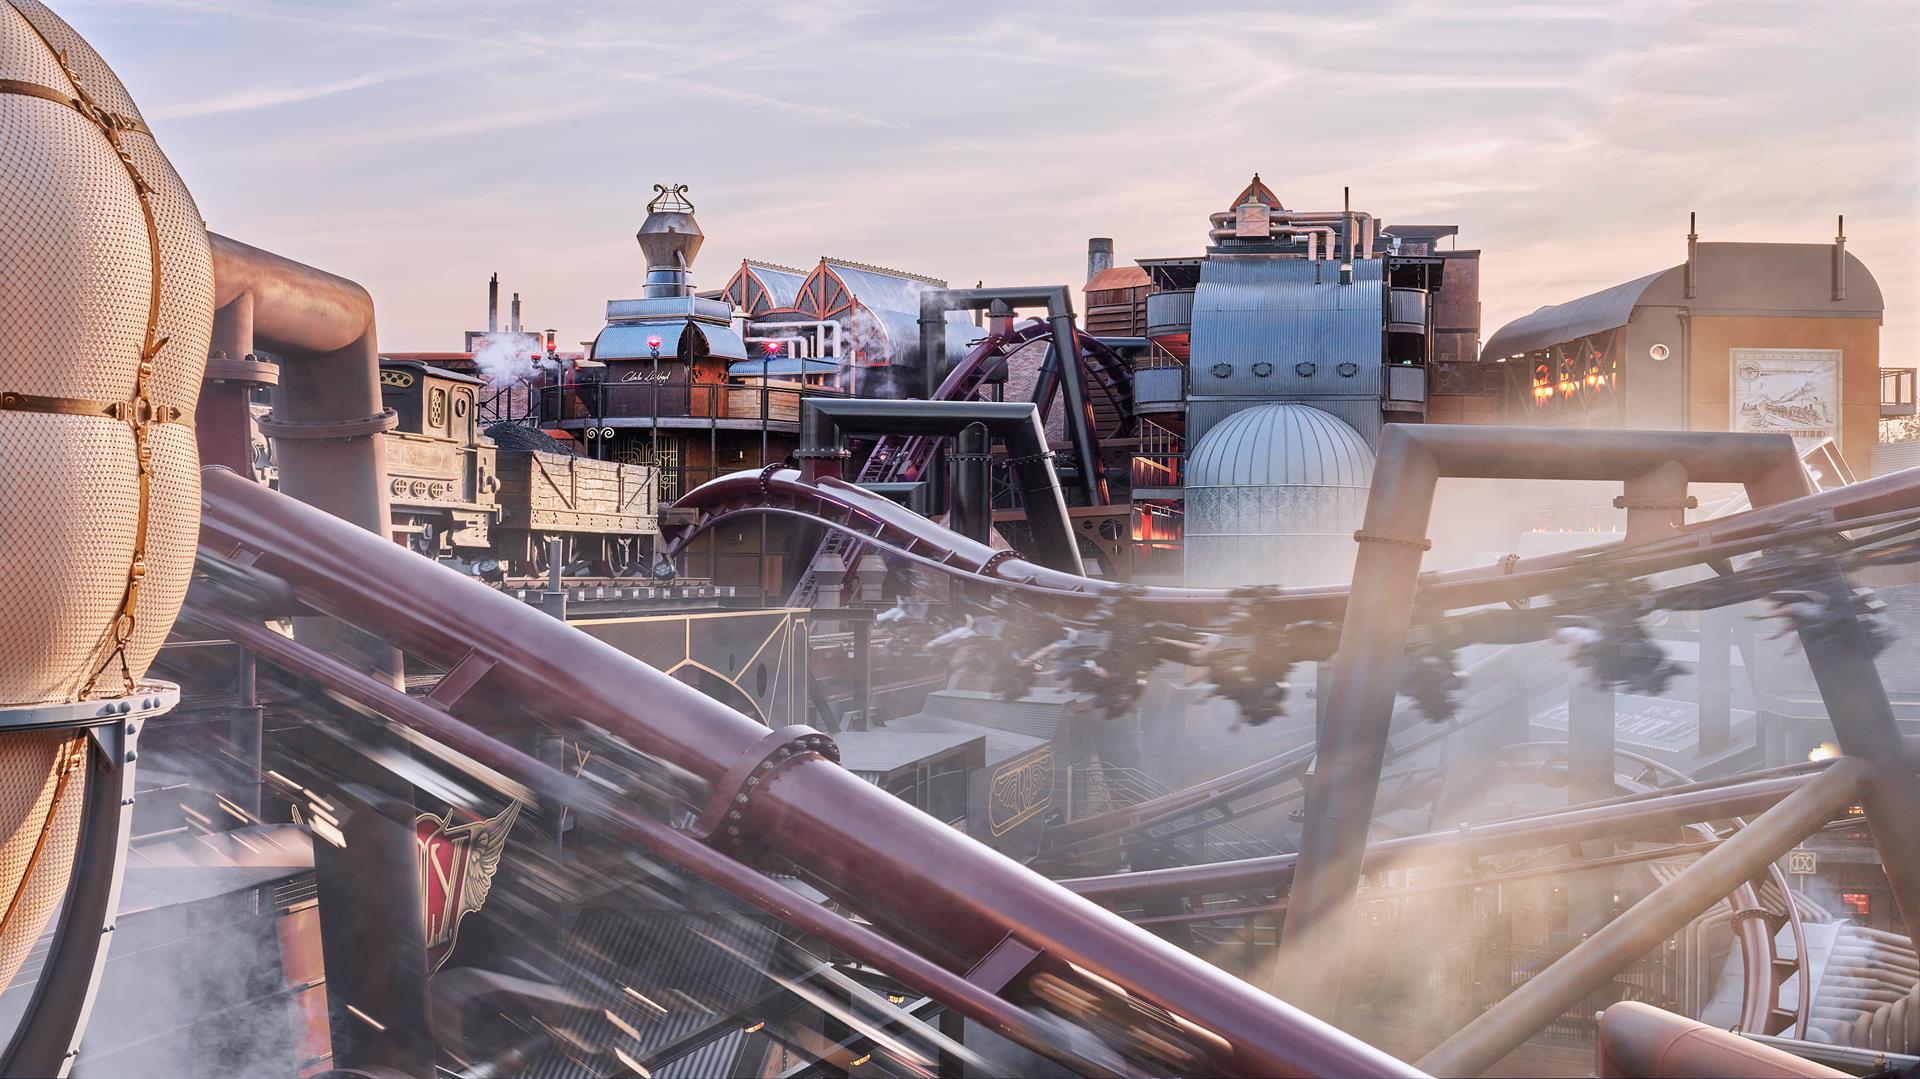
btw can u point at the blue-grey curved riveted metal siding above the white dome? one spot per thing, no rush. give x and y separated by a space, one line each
1270 316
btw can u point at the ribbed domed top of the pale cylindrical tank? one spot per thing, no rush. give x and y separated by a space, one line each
1280 446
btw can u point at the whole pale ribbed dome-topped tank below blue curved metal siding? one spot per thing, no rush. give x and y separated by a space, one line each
1274 496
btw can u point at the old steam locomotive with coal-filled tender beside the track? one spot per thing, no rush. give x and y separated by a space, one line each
500 498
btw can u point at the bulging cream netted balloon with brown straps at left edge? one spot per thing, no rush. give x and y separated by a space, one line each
107 302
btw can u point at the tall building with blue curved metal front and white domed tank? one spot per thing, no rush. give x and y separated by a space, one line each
1345 320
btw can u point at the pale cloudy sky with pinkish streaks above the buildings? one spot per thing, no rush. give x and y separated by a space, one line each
421 147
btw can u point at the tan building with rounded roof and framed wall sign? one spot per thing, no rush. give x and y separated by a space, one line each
1760 337
